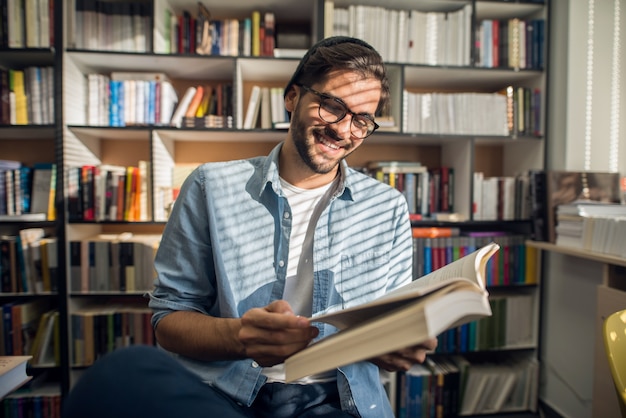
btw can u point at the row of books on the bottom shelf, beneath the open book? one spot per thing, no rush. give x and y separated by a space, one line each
459 386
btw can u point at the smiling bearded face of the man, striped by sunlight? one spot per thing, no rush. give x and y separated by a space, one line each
322 145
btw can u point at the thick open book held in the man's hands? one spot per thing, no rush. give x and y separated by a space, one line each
446 298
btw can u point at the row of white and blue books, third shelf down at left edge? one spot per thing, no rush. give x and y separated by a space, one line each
27 191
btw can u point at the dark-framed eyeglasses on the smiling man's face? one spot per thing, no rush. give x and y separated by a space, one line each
333 110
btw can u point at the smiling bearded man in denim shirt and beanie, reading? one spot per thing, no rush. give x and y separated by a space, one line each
255 247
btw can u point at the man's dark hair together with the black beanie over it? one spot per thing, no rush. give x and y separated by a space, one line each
341 53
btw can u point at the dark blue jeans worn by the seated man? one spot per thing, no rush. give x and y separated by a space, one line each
143 381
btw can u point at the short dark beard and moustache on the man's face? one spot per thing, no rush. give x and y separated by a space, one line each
304 139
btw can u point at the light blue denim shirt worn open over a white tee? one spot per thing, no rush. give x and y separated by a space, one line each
225 251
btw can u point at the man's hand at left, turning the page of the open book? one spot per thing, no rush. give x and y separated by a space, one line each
273 333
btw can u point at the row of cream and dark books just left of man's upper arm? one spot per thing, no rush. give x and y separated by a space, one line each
113 263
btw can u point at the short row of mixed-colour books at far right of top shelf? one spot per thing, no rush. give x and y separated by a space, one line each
513 43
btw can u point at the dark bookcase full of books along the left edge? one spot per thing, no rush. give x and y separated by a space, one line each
35 143
